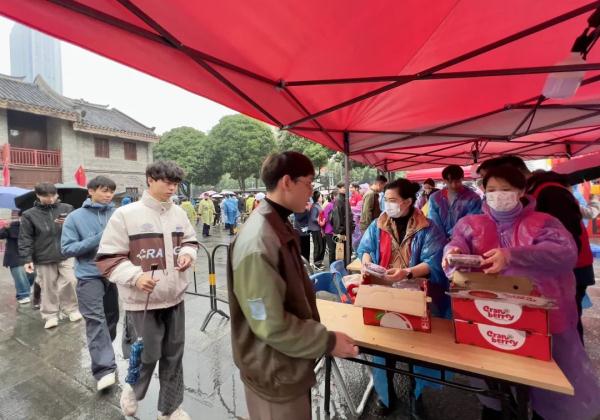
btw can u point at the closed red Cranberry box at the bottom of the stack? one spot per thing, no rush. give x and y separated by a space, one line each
507 340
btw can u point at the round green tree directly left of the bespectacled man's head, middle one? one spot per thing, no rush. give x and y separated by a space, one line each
241 144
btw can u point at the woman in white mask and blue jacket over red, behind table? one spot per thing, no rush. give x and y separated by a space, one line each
409 245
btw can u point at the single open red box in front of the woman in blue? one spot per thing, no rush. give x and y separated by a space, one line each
401 308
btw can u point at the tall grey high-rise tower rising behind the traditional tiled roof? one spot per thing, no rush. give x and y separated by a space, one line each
33 53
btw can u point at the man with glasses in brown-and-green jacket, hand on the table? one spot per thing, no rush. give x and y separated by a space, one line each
276 333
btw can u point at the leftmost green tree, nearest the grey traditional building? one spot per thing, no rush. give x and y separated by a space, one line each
191 149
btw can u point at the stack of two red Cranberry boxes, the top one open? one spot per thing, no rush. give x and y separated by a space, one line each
498 312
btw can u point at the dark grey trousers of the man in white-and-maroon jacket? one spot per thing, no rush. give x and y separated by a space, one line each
164 339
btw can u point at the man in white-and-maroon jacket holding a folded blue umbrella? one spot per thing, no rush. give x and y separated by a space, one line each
146 234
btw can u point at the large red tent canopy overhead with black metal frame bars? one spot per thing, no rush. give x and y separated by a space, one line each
398 85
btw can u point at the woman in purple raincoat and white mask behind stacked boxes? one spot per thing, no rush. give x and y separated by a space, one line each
516 240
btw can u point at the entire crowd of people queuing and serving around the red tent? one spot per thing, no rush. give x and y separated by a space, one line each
84 261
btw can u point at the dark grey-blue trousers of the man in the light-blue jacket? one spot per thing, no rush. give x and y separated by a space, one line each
99 305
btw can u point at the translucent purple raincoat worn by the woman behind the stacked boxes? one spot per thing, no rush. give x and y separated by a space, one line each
544 251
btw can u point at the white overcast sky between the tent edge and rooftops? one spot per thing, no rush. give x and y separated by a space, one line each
151 101
